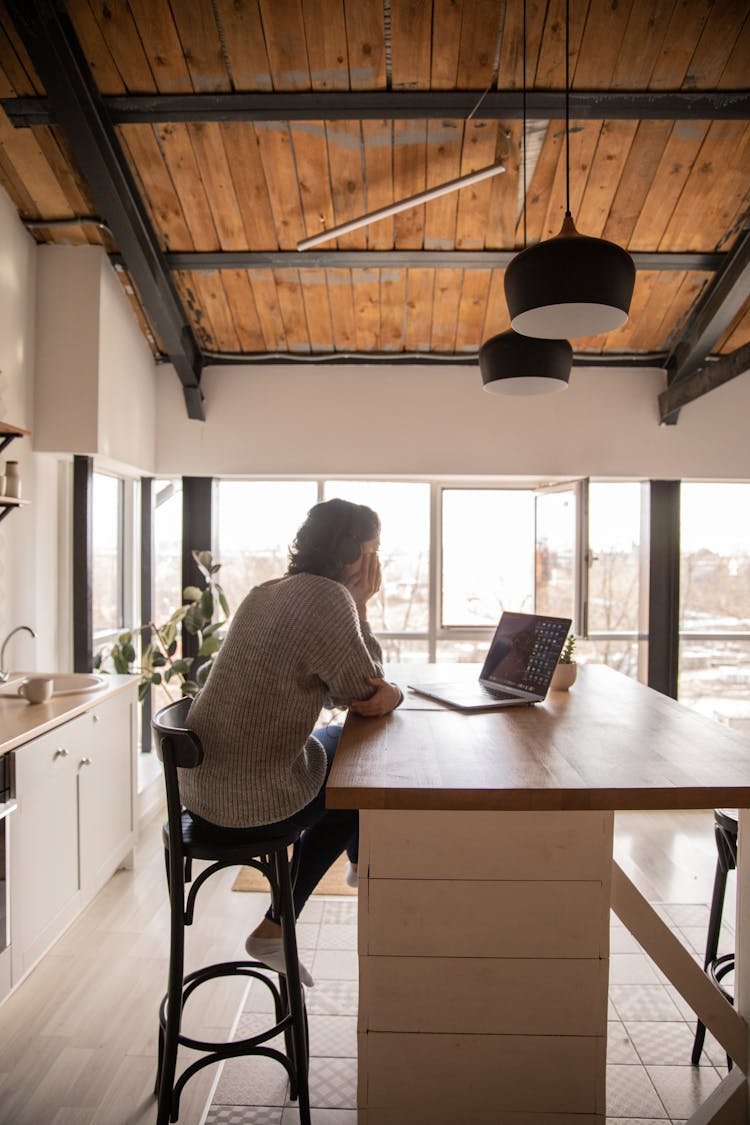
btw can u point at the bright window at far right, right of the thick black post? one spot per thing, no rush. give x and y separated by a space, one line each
715 652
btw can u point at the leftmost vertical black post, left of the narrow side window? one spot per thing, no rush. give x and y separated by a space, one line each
83 564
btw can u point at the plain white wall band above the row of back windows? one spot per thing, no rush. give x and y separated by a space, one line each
439 421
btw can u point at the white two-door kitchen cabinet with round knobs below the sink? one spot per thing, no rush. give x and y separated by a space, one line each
75 823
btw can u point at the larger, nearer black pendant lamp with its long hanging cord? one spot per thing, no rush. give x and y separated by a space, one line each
571 285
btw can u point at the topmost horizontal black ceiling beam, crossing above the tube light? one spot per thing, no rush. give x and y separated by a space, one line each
418 105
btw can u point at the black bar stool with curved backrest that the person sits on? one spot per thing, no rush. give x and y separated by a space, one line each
184 842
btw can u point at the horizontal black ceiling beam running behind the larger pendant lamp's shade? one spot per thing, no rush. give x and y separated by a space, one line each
405 259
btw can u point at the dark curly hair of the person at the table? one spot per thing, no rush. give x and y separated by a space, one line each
332 538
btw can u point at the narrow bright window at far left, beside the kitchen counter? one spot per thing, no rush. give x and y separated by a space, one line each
109 563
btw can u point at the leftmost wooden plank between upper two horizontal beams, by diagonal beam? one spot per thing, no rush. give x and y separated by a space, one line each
158 192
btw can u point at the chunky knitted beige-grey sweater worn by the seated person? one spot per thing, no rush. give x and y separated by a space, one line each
294 647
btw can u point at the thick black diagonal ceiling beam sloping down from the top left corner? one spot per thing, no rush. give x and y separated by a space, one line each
50 39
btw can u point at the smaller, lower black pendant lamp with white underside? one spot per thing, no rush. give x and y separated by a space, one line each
516 365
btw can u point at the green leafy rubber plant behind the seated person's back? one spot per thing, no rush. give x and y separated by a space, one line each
204 615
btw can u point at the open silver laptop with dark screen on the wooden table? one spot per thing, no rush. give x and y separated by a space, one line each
518 670
